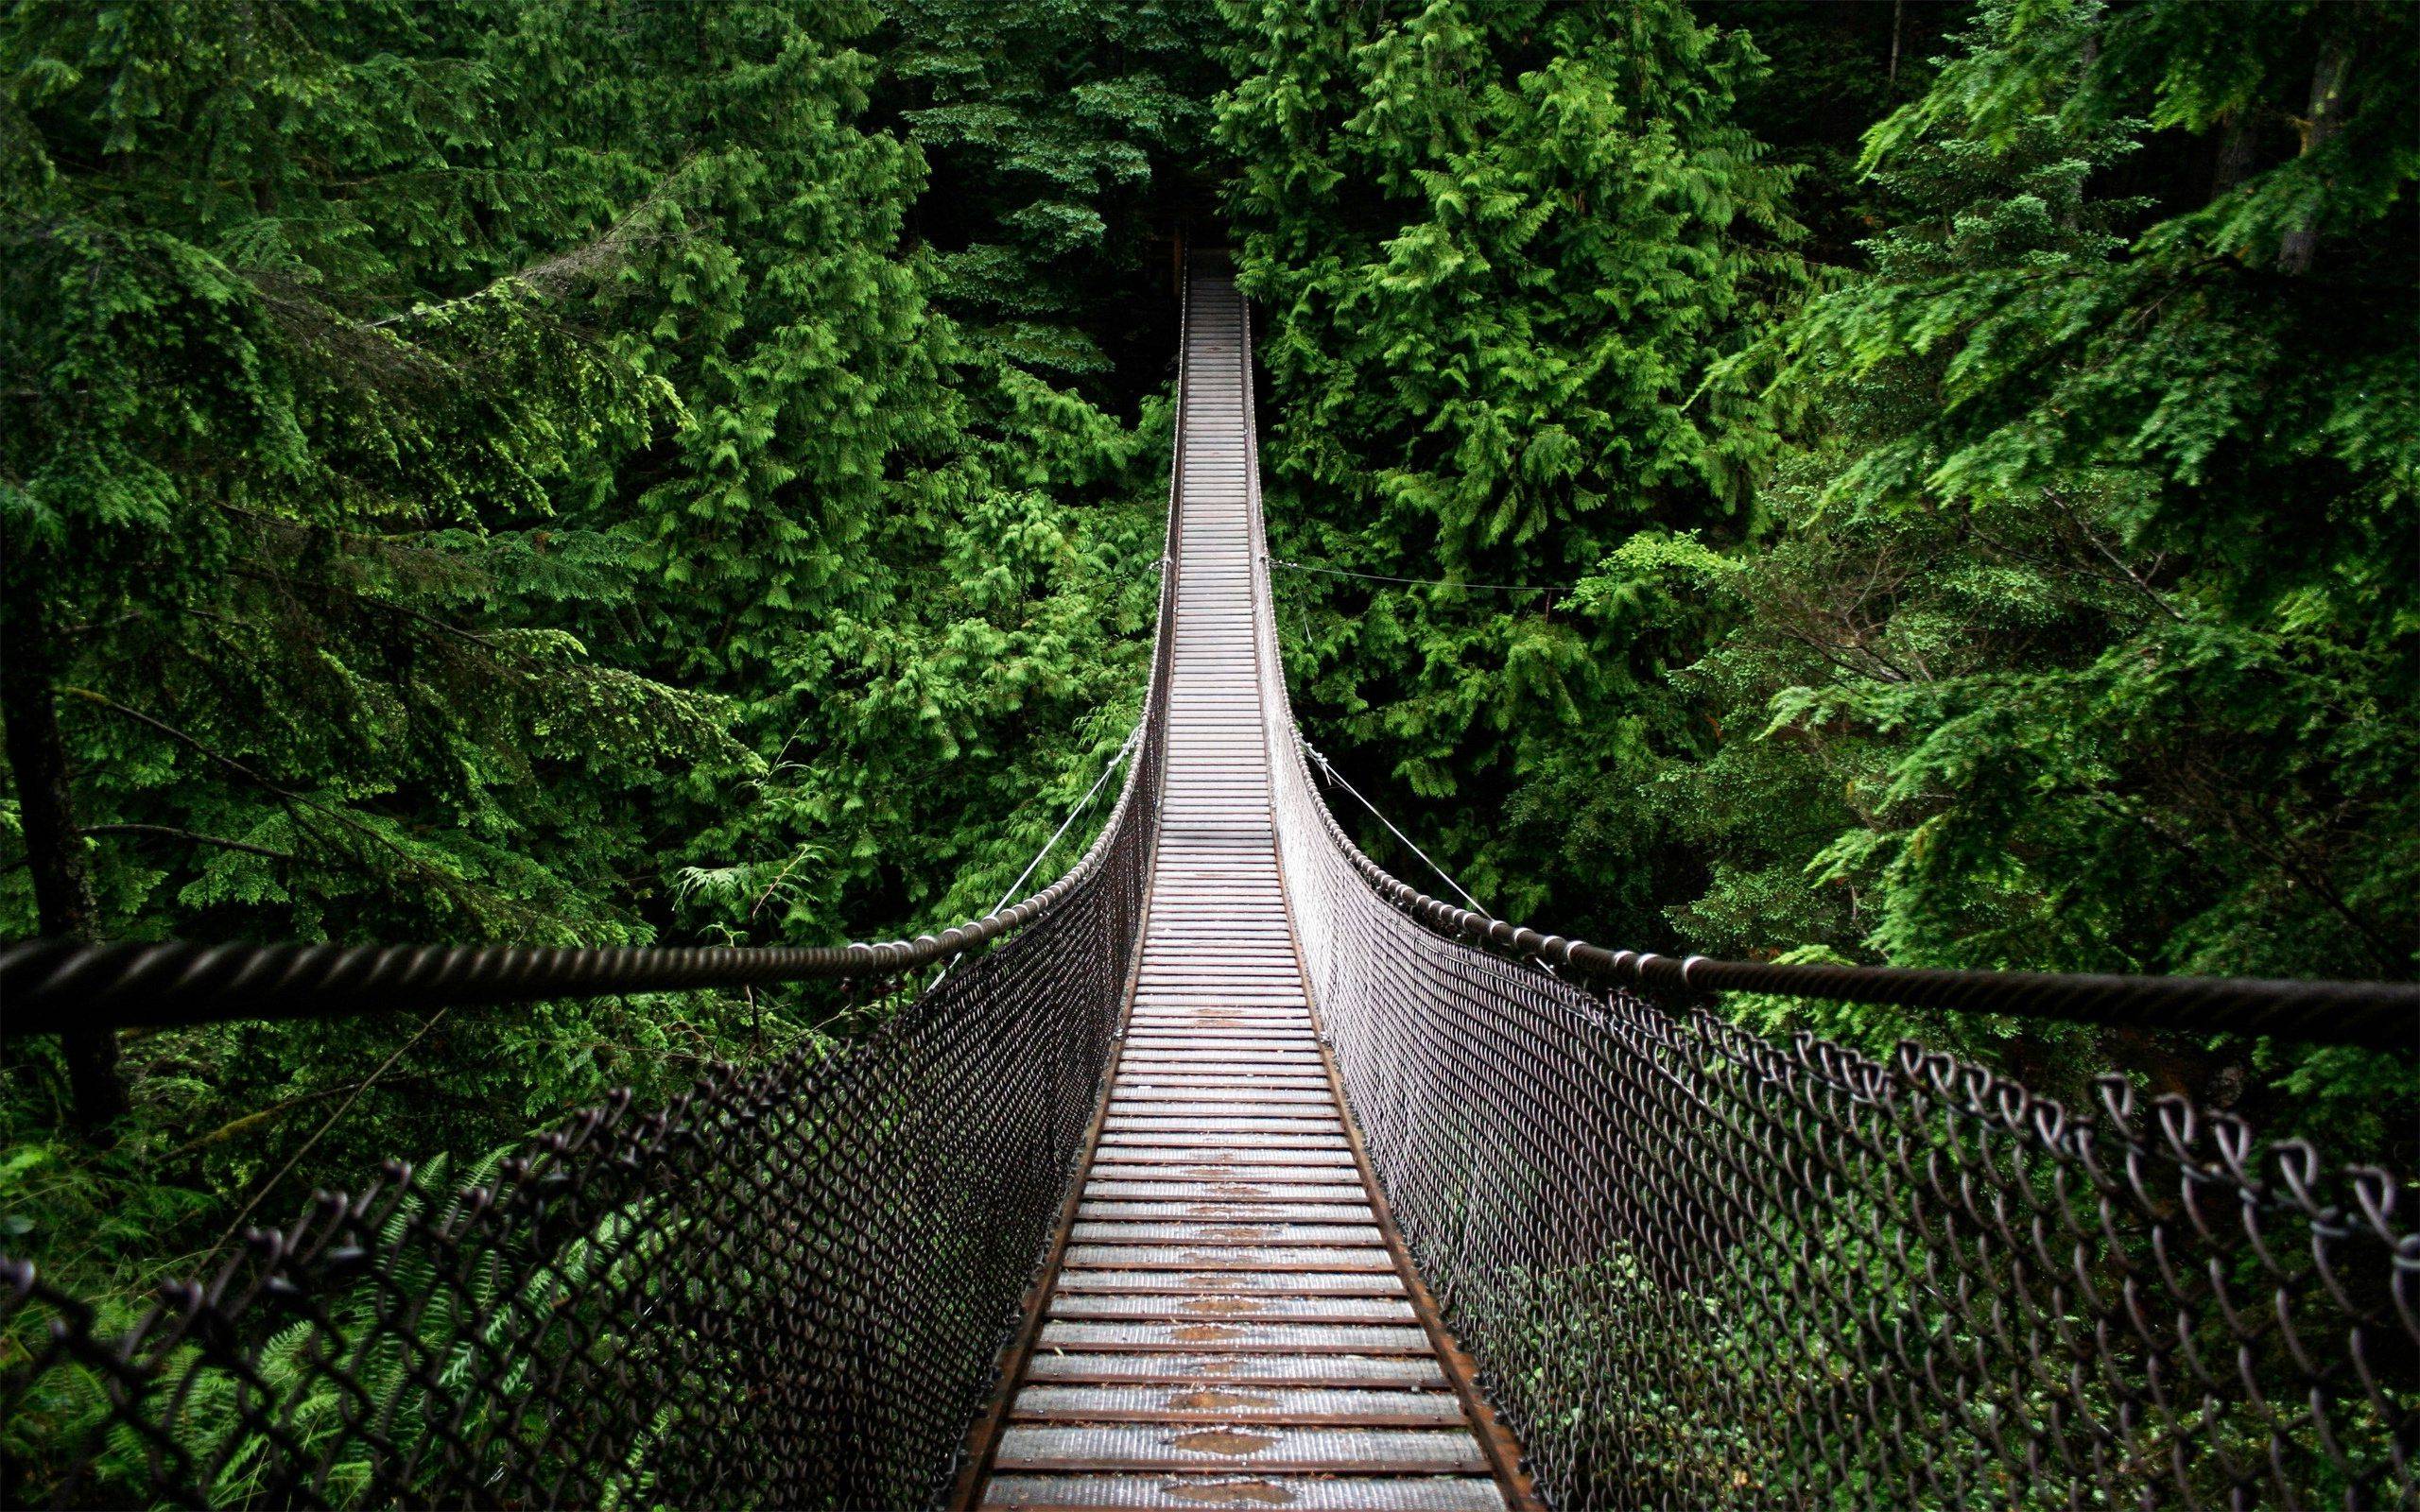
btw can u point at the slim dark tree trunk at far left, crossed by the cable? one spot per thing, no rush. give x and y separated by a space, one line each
54 850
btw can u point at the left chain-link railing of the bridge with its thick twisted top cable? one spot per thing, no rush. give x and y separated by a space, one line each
785 1291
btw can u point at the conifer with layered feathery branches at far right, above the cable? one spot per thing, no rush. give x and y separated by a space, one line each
2090 642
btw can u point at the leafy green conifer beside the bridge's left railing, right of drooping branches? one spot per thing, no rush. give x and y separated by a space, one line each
911 562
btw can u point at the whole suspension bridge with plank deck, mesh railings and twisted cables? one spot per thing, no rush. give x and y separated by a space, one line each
1233 1172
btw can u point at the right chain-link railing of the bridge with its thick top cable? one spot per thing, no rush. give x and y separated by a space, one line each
1700 1269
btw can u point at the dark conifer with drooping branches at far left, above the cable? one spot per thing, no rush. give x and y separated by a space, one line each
299 386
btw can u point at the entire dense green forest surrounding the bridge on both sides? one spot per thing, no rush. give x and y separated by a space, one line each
1879 483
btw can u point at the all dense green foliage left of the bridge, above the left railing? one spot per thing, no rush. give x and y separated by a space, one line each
507 473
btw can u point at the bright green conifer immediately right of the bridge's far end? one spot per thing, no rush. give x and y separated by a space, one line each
1499 248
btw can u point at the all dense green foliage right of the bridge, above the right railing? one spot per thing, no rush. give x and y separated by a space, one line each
2058 608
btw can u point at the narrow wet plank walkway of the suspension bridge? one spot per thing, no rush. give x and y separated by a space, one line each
1231 1325
